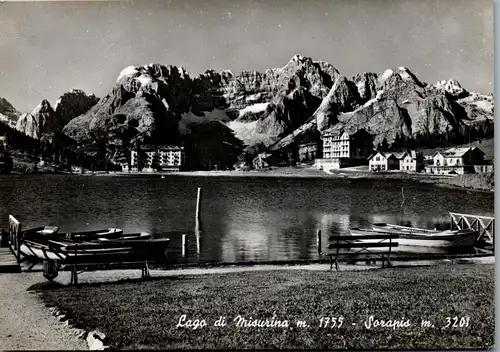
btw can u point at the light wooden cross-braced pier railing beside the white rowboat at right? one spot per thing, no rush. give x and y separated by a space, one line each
484 224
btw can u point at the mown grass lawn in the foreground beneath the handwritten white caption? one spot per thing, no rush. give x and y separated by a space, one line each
136 314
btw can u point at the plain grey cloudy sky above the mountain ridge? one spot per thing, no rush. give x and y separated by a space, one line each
50 47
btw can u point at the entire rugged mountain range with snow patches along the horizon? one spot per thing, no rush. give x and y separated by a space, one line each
267 111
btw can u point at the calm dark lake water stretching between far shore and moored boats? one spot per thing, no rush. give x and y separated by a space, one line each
243 218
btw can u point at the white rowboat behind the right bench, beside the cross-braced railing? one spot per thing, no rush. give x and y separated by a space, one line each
442 239
